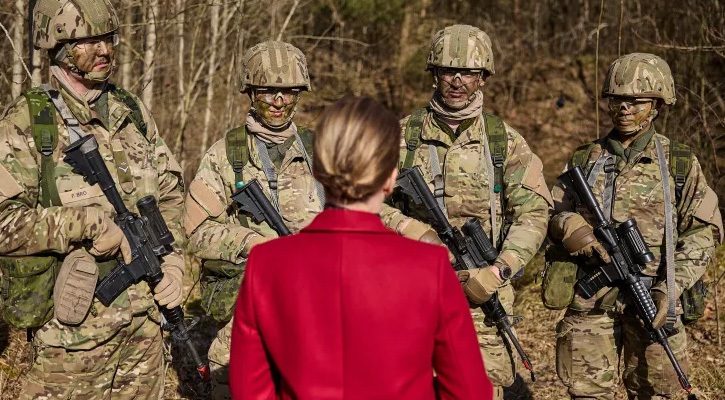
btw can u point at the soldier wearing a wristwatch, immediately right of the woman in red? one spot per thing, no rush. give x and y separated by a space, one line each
478 166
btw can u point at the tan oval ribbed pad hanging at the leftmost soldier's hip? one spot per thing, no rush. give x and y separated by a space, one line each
74 288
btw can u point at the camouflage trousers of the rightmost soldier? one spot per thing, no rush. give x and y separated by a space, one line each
588 350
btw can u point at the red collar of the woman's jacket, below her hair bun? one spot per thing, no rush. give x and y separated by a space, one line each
340 220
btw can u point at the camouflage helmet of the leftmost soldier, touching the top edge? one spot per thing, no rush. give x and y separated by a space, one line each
57 21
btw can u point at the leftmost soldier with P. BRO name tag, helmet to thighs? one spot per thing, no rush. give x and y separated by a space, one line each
82 349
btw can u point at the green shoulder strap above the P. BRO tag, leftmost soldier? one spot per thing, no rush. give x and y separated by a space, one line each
45 134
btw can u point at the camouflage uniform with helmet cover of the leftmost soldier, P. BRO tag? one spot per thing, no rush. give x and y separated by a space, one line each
117 350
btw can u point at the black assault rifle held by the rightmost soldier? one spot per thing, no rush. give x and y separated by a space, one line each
629 254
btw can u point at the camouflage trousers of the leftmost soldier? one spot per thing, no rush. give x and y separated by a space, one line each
129 366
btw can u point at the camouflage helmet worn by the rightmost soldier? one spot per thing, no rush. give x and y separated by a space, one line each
640 75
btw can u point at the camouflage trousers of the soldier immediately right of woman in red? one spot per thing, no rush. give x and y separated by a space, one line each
500 363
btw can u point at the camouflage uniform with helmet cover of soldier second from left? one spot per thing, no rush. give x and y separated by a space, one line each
218 232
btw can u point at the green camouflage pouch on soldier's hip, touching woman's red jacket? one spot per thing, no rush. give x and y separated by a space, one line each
220 287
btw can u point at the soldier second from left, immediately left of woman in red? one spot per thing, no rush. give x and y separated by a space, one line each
269 147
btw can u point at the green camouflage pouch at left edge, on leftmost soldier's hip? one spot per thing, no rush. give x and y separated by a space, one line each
26 289
